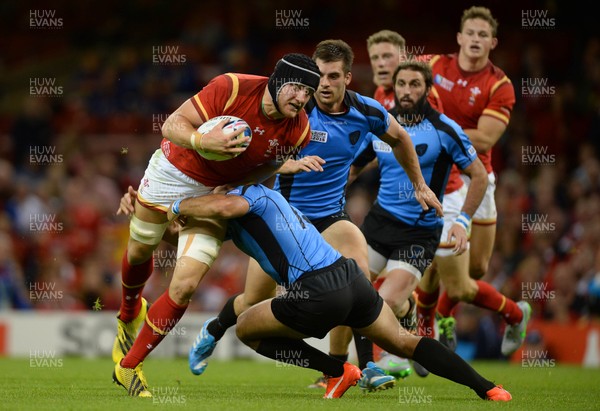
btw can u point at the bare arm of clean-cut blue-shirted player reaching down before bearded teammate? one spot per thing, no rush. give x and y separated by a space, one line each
404 151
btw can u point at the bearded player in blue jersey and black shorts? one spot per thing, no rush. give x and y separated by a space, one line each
402 237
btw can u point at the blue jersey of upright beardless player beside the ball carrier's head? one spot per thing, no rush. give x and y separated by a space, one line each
337 138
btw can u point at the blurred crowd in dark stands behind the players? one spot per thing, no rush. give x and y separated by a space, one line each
82 100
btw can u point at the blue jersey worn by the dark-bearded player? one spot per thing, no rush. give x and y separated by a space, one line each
439 143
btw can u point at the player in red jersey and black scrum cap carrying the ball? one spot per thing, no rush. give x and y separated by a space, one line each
273 108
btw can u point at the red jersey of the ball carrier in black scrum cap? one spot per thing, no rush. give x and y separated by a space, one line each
239 95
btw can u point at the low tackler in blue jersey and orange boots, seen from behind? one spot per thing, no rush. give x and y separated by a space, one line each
328 290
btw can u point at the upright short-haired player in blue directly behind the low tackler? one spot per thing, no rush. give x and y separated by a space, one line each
341 121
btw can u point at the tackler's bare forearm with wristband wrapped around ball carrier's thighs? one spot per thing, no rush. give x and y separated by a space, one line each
218 206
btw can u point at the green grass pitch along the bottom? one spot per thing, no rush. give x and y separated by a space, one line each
82 384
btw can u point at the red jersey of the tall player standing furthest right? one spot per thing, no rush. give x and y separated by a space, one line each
466 96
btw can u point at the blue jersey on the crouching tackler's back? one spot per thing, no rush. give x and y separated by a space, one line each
278 236
